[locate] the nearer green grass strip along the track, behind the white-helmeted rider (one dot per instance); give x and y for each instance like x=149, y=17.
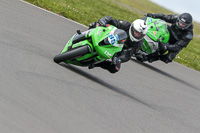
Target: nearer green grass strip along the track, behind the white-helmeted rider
x=85, y=11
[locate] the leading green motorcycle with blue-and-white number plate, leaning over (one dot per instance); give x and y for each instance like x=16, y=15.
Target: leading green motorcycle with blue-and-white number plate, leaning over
x=92, y=46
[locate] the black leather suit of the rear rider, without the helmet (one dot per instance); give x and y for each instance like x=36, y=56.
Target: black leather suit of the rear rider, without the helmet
x=178, y=38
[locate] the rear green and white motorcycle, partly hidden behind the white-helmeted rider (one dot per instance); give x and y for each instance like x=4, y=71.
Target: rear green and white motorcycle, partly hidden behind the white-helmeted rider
x=157, y=34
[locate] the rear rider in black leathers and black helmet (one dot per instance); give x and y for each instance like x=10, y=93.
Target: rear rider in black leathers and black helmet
x=181, y=33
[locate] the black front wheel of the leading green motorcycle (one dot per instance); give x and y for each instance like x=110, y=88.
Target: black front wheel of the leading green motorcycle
x=72, y=54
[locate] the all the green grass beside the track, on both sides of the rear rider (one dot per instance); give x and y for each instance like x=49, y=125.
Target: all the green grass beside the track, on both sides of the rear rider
x=87, y=11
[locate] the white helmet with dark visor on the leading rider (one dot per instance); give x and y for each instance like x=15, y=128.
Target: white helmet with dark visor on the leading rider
x=137, y=30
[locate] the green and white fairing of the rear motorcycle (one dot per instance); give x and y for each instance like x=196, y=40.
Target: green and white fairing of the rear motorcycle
x=157, y=31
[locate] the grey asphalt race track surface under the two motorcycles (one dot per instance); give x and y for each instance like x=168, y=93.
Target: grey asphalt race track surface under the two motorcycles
x=40, y=96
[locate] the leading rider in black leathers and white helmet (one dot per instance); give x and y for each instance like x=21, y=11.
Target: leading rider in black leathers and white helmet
x=135, y=31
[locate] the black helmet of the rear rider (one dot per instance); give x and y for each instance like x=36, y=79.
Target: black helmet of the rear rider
x=184, y=21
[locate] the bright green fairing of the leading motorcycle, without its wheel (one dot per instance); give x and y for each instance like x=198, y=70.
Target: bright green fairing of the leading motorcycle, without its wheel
x=97, y=52
